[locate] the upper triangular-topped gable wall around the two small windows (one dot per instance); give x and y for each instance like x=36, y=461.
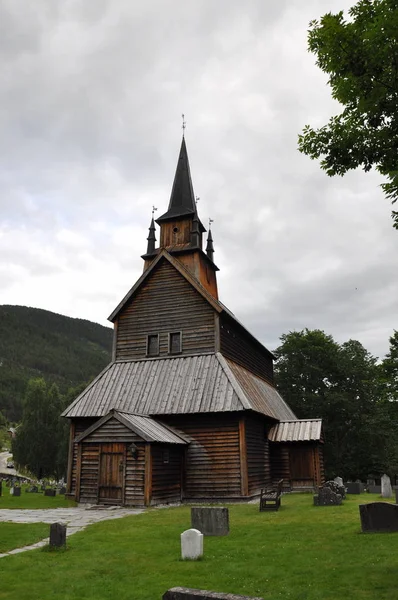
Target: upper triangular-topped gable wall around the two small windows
x=166, y=302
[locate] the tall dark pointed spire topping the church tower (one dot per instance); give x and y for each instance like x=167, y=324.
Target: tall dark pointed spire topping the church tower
x=182, y=199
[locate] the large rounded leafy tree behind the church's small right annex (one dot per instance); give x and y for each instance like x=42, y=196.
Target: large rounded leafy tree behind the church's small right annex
x=340, y=384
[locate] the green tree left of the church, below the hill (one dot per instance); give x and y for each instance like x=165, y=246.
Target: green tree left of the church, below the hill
x=36, y=445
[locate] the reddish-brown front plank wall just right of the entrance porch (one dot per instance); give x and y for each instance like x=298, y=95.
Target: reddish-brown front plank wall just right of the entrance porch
x=213, y=458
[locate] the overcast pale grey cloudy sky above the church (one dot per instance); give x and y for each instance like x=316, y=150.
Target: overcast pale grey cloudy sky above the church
x=91, y=96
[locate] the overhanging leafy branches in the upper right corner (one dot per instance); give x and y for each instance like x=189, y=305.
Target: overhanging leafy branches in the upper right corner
x=360, y=56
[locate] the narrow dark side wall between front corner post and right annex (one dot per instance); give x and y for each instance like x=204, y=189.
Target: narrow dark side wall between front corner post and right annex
x=258, y=460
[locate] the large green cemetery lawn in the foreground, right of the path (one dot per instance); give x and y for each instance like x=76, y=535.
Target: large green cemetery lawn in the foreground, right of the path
x=301, y=552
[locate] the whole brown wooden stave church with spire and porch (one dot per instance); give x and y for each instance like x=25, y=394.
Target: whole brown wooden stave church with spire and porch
x=187, y=410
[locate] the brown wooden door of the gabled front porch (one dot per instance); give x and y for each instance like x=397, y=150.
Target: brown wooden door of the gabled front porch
x=111, y=473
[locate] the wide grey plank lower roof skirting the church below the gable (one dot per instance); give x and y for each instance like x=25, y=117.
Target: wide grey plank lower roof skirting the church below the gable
x=184, y=385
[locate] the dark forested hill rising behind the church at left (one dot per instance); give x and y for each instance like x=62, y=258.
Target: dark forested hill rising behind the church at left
x=39, y=343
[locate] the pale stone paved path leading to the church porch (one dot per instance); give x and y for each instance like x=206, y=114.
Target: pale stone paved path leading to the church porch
x=76, y=519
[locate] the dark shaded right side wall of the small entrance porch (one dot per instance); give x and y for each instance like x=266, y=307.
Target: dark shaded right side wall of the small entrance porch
x=166, y=477
